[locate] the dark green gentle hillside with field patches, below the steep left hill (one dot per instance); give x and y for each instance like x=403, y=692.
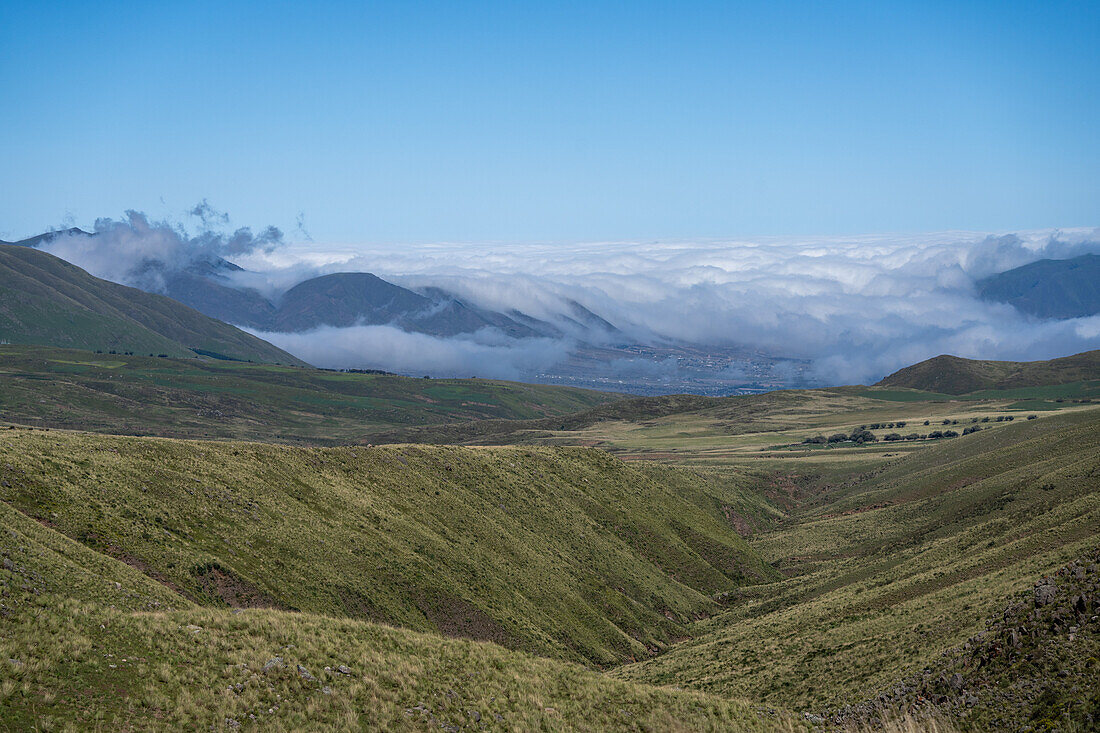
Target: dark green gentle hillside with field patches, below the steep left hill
x=192, y=398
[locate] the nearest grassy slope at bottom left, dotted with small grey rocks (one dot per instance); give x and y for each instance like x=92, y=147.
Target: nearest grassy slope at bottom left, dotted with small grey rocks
x=89, y=642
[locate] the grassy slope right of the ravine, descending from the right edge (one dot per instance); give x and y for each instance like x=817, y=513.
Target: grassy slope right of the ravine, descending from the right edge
x=889, y=568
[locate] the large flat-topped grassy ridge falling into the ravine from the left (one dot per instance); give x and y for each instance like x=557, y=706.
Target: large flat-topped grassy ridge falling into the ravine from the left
x=568, y=553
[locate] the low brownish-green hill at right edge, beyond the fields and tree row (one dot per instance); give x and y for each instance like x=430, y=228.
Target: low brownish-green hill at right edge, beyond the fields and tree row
x=949, y=375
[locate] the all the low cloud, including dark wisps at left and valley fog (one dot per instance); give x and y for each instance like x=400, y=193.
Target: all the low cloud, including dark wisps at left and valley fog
x=856, y=308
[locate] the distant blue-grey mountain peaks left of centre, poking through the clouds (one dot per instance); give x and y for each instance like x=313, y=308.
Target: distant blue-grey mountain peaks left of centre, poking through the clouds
x=346, y=300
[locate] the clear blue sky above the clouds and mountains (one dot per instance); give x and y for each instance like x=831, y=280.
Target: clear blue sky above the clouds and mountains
x=420, y=122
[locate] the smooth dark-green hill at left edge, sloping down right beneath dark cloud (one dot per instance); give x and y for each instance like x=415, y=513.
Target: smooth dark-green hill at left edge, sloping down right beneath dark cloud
x=47, y=301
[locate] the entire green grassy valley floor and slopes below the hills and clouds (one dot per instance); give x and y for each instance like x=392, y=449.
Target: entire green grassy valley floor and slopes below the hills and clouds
x=637, y=564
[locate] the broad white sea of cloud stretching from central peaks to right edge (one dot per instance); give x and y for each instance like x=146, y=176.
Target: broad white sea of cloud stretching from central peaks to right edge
x=857, y=309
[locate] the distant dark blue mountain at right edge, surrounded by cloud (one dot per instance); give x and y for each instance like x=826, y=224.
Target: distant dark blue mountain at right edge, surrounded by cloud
x=1049, y=289
